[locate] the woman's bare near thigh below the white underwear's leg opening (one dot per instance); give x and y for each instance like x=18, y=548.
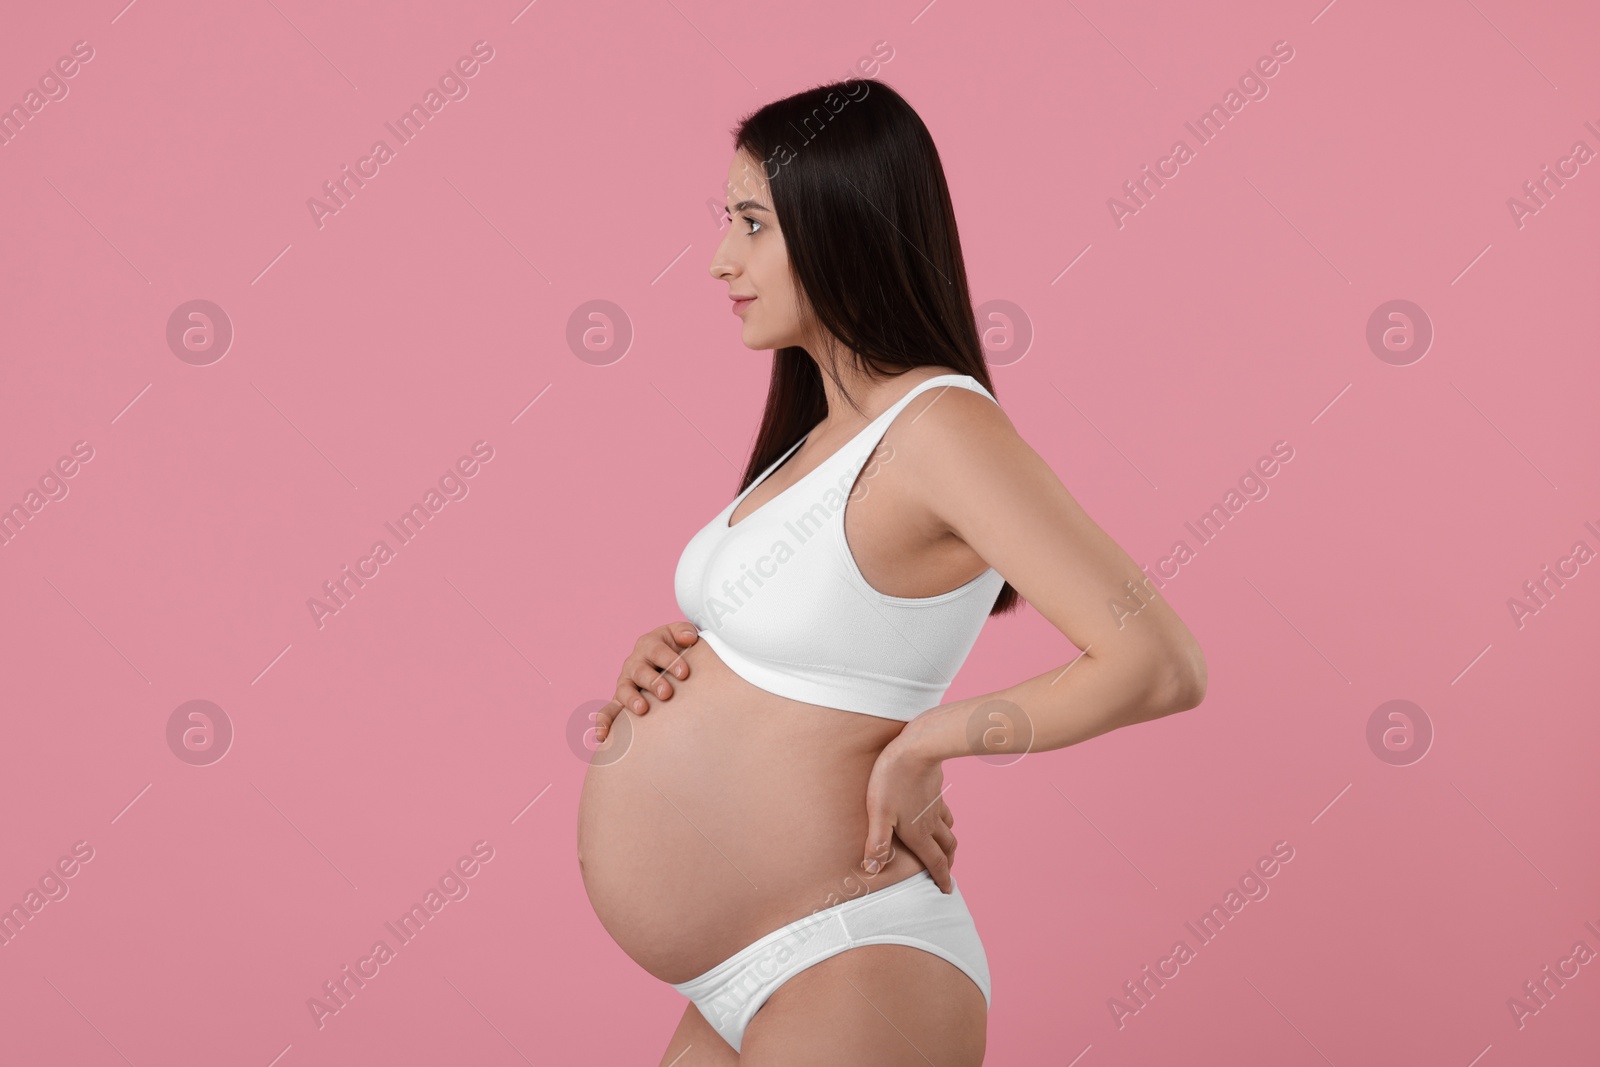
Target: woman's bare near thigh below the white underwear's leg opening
x=871, y=1005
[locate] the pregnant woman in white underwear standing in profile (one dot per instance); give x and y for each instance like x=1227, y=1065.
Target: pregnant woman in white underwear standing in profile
x=769, y=831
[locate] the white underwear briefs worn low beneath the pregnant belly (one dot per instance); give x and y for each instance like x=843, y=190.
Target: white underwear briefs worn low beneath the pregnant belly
x=911, y=913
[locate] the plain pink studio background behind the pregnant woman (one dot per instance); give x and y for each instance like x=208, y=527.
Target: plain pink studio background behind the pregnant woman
x=433, y=311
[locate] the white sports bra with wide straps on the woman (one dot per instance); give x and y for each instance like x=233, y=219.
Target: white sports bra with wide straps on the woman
x=780, y=597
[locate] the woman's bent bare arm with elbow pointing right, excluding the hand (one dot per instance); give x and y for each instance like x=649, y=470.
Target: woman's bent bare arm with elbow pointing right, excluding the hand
x=1140, y=661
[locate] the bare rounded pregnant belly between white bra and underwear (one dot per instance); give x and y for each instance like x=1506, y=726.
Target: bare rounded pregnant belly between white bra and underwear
x=726, y=813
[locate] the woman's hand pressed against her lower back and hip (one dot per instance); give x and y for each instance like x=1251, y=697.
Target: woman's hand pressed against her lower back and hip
x=906, y=801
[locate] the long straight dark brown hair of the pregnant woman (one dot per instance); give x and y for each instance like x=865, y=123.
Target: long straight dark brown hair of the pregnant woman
x=873, y=246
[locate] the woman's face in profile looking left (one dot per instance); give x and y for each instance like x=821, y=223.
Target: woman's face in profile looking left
x=754, y=262
